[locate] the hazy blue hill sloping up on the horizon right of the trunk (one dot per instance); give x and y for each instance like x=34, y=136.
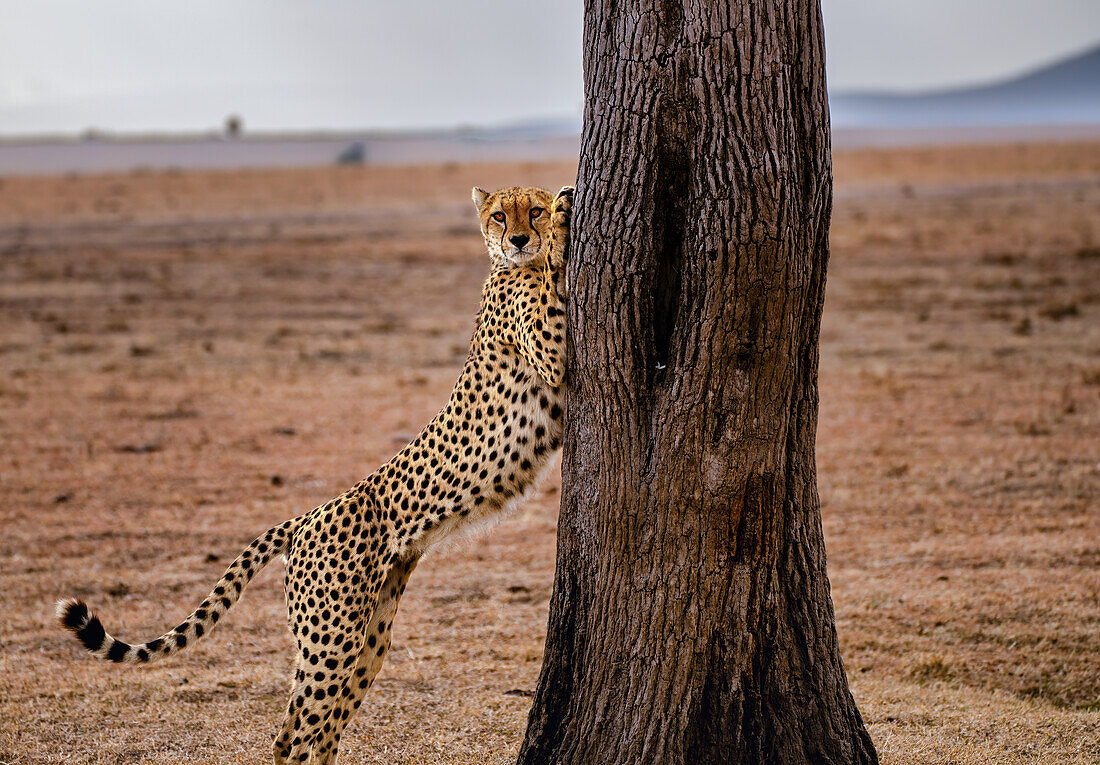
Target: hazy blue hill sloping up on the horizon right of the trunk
x=1065, y=93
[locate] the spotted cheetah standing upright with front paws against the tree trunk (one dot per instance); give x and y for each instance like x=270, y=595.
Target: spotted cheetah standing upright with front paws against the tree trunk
x=348, y=561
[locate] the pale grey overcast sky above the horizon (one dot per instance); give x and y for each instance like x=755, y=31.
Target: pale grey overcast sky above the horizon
x=67, y=65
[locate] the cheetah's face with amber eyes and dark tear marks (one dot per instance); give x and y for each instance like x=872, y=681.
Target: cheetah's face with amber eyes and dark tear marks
x=515, y=223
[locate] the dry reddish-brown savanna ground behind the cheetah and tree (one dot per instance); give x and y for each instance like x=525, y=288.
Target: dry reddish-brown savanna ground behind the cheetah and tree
x=190, y=358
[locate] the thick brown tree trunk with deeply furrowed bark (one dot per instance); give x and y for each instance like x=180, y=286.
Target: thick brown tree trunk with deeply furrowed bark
x=691, y=619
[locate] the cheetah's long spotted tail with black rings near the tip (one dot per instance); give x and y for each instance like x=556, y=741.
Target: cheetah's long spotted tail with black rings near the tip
x=75, y=616
